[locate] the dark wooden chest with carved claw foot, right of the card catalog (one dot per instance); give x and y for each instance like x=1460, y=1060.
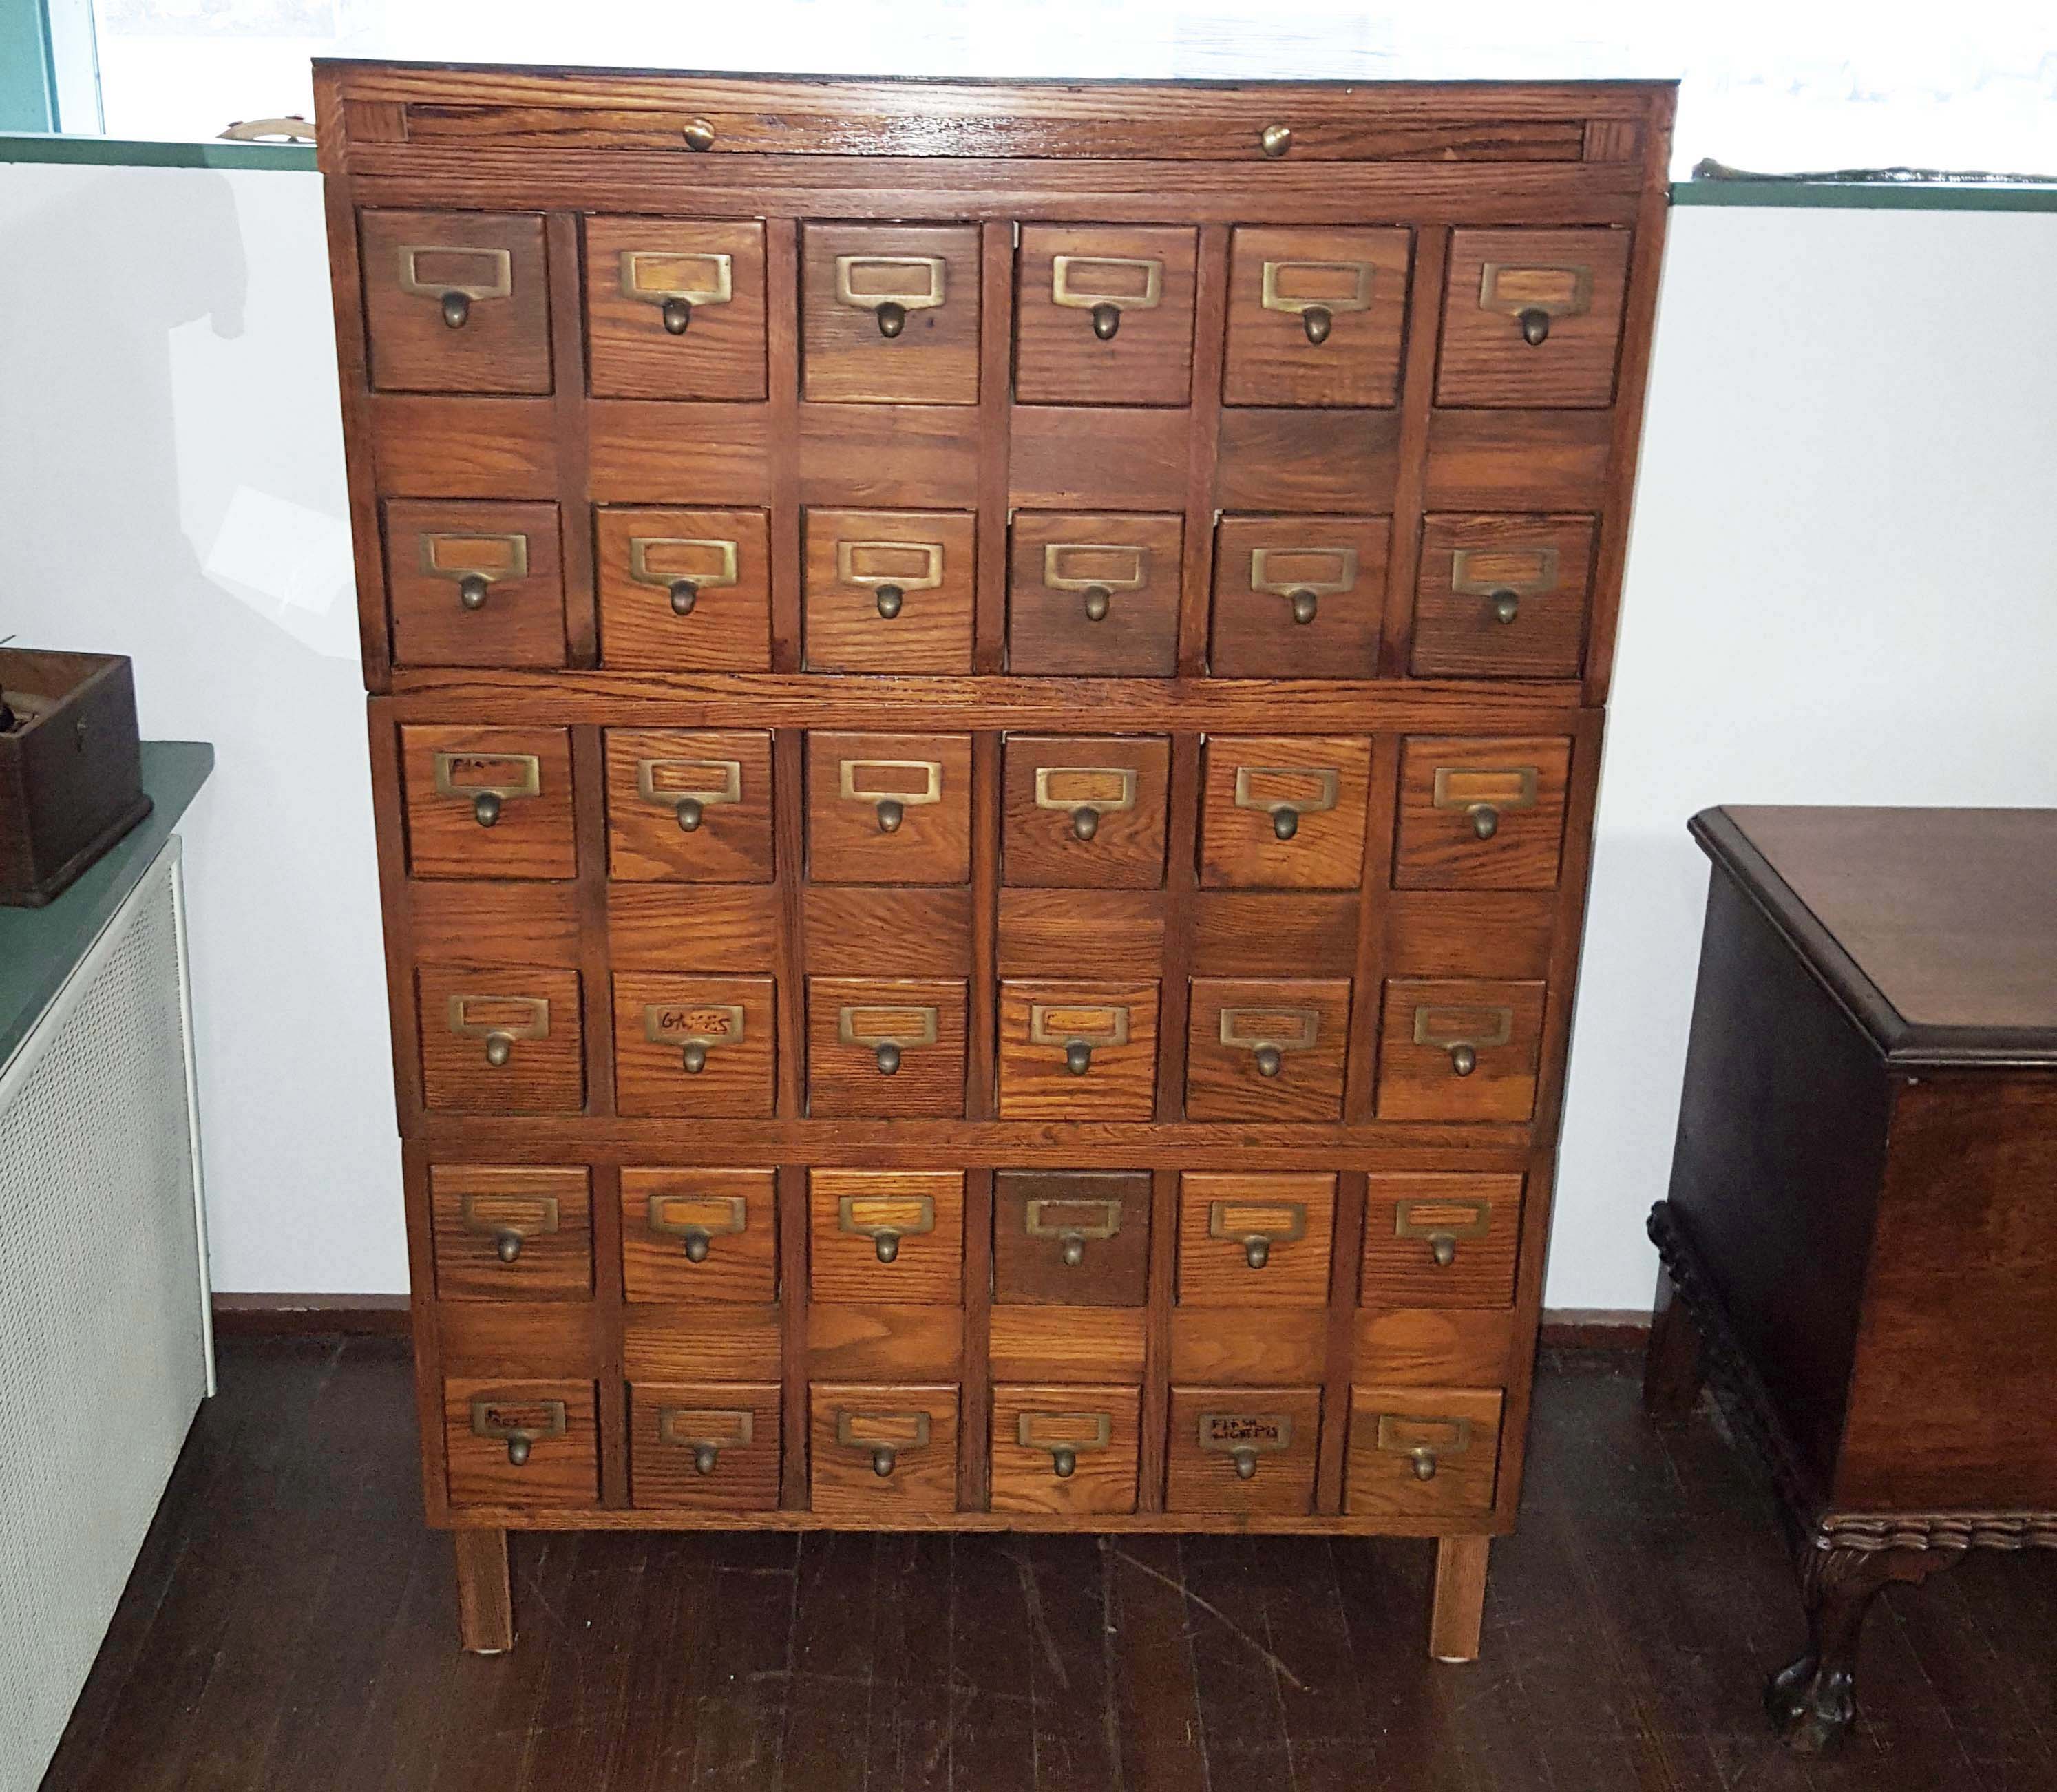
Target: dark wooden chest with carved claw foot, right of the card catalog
x=1861, y=1244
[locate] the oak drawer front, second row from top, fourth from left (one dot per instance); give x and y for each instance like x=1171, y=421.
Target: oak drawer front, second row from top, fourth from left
x=1095, y=594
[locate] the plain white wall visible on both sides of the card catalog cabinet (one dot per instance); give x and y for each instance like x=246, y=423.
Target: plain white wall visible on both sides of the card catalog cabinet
x=1842, y=589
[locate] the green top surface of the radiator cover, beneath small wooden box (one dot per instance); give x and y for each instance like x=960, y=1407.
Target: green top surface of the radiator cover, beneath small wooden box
x=40, y=947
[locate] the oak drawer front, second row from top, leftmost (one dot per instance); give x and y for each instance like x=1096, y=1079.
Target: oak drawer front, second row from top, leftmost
x=474, y=585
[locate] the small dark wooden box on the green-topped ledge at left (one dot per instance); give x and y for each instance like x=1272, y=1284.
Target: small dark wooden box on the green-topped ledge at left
x=71, y=770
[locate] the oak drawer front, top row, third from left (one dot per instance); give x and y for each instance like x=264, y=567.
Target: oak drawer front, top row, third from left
x=892, y=314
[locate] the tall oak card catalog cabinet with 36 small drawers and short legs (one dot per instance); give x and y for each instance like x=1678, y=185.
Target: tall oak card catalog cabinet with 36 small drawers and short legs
x=984, y=709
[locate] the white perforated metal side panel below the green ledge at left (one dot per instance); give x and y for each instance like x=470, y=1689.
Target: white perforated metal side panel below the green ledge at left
x=104, y=1345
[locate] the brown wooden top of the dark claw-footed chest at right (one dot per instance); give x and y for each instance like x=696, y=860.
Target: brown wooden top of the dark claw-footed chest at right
x=1937, y=927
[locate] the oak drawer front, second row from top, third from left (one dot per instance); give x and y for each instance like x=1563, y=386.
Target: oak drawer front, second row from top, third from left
x=890, y=592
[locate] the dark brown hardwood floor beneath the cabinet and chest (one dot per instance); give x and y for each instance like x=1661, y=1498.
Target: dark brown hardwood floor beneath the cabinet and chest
x=293, y=1626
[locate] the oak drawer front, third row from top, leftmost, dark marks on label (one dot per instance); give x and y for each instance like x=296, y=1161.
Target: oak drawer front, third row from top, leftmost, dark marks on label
x=489, y=801
